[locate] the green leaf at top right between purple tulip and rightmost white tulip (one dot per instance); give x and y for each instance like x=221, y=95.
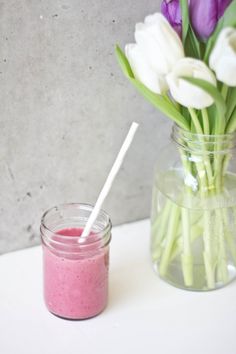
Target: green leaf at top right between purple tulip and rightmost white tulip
x=227, y=20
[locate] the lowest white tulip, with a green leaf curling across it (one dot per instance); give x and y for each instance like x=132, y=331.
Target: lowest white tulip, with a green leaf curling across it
x=186, y=93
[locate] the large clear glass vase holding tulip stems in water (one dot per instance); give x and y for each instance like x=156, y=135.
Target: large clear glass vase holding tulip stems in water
x=193, y=219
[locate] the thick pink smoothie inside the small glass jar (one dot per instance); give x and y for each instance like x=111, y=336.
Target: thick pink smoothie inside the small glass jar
x=75, y=284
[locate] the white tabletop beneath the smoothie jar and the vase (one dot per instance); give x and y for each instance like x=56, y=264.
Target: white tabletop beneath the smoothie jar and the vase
x=144, y=315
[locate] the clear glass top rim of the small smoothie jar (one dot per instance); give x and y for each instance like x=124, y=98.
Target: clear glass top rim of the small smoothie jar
x=92, y=239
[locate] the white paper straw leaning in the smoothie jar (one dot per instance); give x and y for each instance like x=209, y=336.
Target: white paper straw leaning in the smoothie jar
x=107, y=186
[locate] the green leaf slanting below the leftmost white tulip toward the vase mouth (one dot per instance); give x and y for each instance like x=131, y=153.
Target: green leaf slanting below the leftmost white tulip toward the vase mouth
x=164, y=105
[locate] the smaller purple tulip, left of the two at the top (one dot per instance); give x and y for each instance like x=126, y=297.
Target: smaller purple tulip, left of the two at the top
x=171, y=10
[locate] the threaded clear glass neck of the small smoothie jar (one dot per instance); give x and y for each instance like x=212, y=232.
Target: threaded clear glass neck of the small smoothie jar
x=74, y=216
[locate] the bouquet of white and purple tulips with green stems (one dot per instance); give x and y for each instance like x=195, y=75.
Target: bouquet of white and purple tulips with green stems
x=183, y=62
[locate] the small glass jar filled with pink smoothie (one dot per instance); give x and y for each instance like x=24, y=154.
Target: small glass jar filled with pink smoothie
x=75, y=273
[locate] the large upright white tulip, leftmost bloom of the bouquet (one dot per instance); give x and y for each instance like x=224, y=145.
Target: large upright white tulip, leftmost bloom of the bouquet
x=155, y=52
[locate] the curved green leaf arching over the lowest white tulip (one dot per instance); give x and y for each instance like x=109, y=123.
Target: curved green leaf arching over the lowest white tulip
x=217, y=97
